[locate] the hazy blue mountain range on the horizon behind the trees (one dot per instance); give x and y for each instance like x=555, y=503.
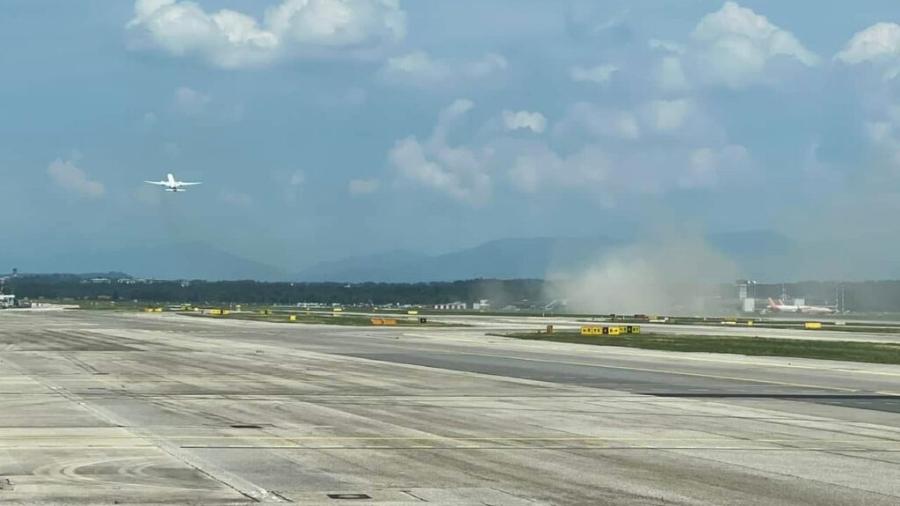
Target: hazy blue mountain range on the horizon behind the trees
x=752, y=251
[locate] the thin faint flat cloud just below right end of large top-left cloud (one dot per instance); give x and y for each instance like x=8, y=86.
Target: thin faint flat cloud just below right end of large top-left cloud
x=418, y=68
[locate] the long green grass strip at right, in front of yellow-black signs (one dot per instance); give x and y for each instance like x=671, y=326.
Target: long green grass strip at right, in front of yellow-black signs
x=878, y=353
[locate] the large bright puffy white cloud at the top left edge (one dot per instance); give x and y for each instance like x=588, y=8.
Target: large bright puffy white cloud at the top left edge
x=231, y=39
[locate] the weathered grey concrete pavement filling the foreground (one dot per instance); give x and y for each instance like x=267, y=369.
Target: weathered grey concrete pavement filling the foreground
x=105, y=408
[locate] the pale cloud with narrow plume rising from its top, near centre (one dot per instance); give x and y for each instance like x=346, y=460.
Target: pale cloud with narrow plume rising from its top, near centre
x=460, y=172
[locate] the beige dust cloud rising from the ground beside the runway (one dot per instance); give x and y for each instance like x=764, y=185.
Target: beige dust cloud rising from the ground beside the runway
x=671, y=273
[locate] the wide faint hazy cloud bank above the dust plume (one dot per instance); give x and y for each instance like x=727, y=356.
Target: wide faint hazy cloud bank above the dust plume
x=654, y=147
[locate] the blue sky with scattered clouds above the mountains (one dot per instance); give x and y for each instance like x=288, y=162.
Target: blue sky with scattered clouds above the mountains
x=326, y=128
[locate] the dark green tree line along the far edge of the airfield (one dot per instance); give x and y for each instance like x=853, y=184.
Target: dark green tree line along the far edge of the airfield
x=860, y=296
